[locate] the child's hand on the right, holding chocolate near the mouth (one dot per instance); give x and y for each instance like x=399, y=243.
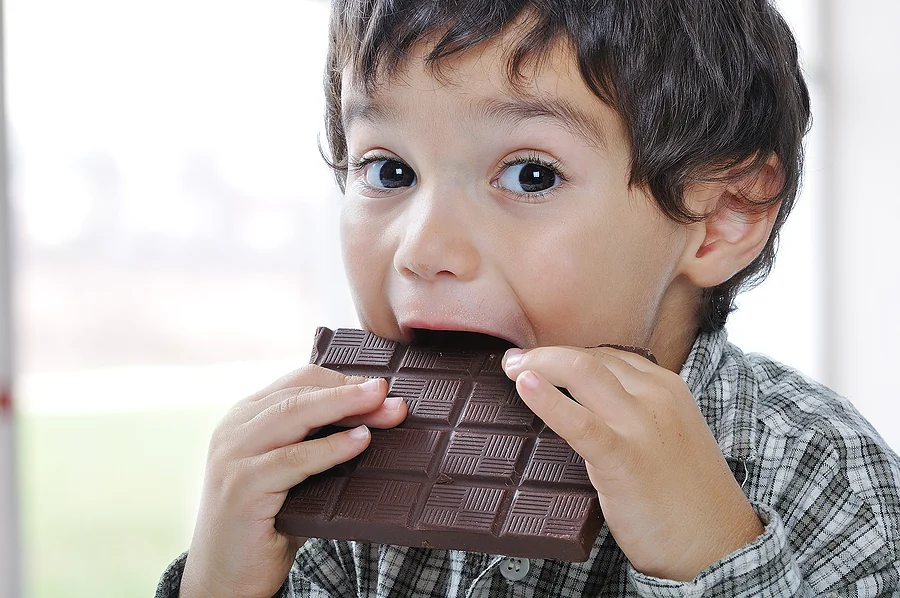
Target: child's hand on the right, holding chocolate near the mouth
x=667, y=494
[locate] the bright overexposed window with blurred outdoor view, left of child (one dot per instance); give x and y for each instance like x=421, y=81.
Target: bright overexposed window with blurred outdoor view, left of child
x=175, y=250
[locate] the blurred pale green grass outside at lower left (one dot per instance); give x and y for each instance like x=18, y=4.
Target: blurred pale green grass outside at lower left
x=107, y=501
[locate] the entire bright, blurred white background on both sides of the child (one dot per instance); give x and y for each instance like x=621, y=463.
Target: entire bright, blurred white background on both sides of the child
x=172, y=245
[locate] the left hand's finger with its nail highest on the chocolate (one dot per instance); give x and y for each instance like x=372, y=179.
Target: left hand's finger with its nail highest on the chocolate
x=289, y=420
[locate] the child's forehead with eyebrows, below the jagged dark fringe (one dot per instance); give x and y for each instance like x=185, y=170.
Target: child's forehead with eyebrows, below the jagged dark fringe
x=549, y=88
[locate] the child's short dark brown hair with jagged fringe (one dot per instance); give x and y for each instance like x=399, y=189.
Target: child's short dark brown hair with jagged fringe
x=707, y=89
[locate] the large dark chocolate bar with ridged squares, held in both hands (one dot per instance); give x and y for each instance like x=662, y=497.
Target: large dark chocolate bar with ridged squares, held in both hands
x=471, y=468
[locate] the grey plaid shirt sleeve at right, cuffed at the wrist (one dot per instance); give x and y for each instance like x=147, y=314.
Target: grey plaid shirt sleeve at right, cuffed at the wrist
x=831, y=514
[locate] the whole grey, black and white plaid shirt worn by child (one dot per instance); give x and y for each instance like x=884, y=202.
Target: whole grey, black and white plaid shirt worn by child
x=821, y=479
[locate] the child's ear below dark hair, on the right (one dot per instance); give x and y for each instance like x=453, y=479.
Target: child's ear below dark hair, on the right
x=735, y=227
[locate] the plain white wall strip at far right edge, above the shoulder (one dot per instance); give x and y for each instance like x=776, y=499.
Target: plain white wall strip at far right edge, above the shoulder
x=862, y=168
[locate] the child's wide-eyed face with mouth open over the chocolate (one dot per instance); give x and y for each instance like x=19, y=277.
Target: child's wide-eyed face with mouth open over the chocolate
x=489, y=209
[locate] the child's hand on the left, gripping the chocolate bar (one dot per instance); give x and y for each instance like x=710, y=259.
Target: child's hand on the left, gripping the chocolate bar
x=256, y=454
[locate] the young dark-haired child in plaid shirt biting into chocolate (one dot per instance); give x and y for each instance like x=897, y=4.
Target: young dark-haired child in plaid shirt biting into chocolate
x=562, y=174
